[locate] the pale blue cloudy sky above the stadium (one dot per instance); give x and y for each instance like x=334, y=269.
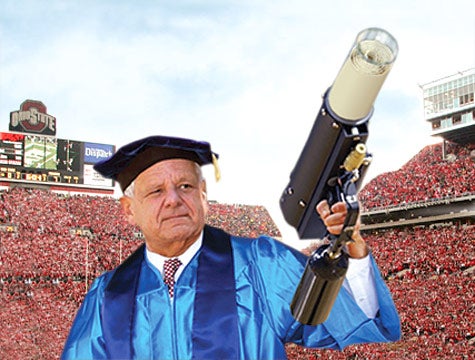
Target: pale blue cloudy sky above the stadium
x=245, y=75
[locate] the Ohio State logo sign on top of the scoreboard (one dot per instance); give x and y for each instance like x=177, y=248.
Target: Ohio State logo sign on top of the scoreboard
x=32, y=118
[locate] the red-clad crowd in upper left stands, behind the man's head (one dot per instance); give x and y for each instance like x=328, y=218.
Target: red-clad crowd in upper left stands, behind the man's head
x=88, y=234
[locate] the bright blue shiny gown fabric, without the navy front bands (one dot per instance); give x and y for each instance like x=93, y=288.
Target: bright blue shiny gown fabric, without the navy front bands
x=267, y=273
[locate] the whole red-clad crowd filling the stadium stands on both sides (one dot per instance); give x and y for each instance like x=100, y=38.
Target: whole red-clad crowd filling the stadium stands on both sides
x=60, y=243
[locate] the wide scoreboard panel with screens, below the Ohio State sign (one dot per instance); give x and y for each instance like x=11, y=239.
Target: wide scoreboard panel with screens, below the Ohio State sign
x=45, y=159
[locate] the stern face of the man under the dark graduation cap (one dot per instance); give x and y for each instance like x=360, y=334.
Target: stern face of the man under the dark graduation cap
x=169, y=205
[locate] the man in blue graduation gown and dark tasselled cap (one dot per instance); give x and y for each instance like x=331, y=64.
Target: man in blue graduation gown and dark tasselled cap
x=229, y=297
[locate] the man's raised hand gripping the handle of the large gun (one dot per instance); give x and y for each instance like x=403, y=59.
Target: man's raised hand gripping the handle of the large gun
x=333, y=218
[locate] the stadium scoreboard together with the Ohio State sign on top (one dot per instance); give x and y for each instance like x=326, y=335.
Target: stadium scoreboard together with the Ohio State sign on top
x=31, y=153
